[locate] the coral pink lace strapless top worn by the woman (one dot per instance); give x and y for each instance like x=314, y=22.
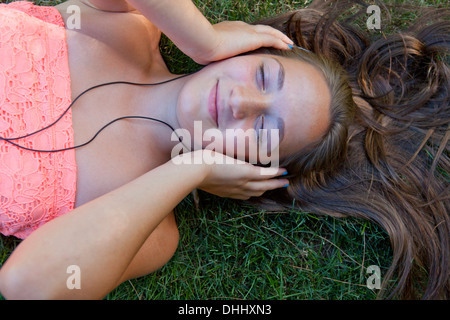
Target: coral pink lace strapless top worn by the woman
x=34, y=91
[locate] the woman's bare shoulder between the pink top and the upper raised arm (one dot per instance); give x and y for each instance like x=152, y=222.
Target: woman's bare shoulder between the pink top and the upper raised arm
x=126, y=40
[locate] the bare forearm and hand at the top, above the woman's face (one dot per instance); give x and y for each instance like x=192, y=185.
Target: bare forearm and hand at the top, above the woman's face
x=193, y=34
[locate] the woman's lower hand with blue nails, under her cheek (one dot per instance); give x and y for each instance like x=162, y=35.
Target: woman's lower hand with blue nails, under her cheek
x=228, y=177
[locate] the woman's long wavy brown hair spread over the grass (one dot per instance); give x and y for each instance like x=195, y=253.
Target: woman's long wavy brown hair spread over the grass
x=392, y=167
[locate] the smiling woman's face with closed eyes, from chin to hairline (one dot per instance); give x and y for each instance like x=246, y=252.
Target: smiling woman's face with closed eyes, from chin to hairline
x=227, y=102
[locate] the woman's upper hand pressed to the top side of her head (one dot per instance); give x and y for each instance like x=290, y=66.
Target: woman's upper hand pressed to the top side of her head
x=235, y=37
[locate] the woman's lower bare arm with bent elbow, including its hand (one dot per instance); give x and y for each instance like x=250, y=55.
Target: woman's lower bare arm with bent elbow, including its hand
x=103, y=236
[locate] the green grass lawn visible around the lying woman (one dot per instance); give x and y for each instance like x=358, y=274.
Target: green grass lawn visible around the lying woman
x=232, y=251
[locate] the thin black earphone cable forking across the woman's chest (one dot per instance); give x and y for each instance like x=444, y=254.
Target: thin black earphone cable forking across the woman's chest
x=10, y=140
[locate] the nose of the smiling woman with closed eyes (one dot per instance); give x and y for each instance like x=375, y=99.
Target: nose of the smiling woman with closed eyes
x=245, y=101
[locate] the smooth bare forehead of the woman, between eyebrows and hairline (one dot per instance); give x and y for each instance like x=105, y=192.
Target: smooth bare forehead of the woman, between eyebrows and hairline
x=304, y=105
